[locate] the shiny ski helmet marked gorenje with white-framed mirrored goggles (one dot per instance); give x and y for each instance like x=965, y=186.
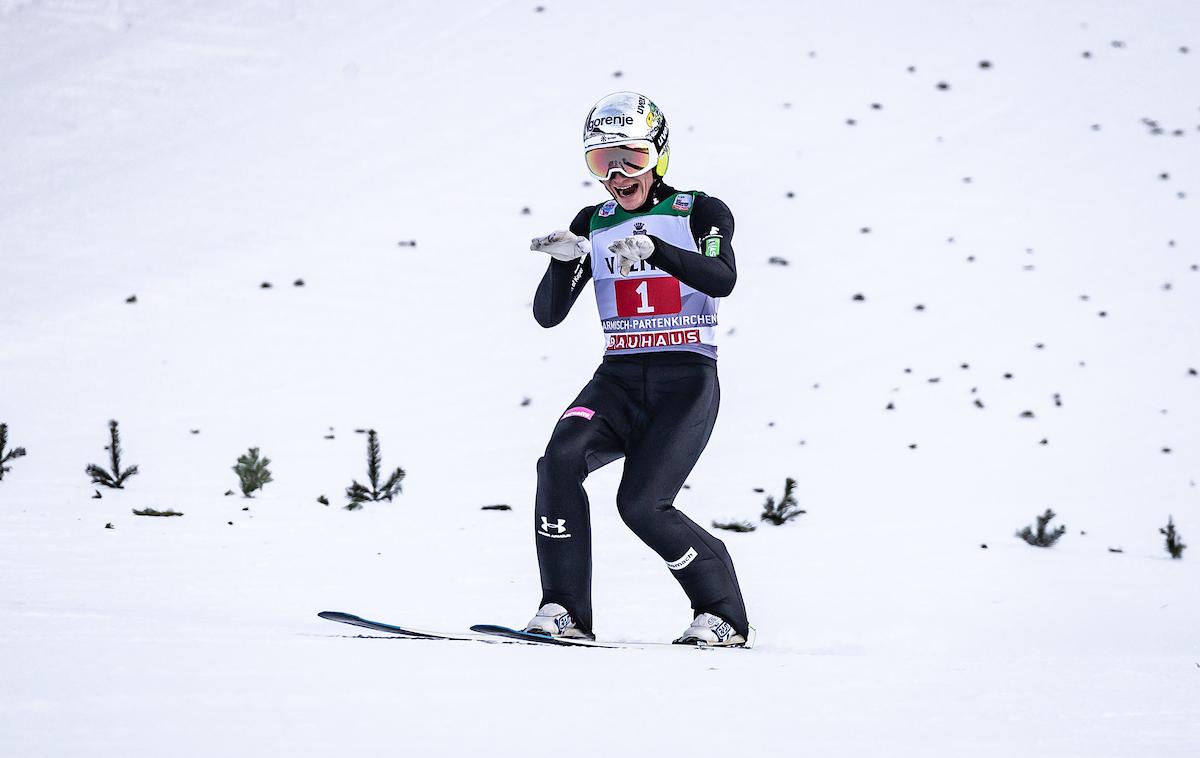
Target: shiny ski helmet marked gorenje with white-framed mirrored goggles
x=627, y=121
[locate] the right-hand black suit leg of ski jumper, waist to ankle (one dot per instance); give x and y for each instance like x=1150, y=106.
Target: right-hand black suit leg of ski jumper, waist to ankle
x=682, y=402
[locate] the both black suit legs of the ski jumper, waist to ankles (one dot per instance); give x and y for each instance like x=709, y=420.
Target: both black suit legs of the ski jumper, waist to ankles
x=661, y=419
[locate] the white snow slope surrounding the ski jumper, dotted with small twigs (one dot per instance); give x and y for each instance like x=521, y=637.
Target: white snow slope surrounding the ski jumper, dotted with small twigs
x=187, y=153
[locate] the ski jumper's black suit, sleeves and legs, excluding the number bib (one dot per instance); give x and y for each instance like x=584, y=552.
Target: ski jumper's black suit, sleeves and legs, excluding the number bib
x=655, y=410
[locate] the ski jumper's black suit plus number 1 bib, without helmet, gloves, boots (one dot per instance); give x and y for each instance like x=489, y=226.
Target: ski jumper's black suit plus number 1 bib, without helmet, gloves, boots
x=653, y=400
